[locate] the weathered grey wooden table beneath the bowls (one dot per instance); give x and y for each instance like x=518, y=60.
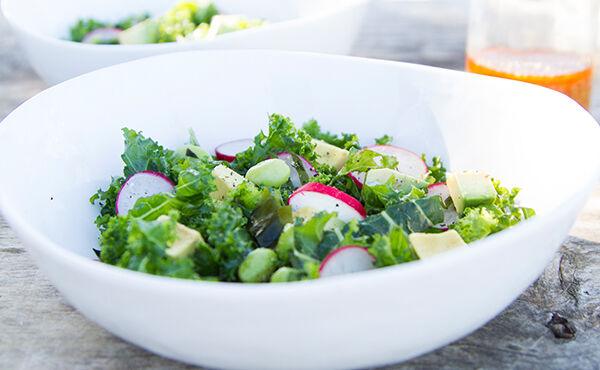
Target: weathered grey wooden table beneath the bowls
x=554, y=324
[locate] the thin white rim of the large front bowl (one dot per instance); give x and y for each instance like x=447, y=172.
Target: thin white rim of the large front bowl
x=10, y=212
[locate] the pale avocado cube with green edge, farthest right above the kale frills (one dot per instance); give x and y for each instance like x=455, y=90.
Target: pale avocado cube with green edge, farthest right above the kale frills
x=469, y=189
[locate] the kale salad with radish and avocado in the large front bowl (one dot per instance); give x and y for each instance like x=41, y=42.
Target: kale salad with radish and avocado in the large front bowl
x=291, y=204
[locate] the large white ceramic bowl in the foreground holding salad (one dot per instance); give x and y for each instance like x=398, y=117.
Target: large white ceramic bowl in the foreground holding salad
x=64, y=143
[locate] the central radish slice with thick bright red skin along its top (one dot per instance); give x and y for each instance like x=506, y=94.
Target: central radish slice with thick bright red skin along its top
x=329, y=199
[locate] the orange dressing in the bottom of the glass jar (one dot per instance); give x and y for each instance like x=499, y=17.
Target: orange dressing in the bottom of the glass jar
x=570, y=74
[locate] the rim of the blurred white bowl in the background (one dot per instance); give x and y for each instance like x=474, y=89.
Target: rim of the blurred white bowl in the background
x=170, y=46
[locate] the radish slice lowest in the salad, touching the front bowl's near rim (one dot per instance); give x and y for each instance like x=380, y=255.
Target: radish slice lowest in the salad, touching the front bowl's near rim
x=347, y=259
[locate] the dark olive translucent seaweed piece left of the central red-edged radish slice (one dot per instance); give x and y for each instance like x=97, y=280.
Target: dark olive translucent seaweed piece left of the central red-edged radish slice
x=267, y=221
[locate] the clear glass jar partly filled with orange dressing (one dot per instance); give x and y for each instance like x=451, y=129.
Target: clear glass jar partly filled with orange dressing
x=546, y=42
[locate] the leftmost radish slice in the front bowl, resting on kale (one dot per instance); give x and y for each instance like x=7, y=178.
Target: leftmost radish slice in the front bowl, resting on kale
x=139, y=185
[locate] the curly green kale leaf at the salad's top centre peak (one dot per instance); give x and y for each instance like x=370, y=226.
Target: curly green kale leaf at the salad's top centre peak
x=282, y=137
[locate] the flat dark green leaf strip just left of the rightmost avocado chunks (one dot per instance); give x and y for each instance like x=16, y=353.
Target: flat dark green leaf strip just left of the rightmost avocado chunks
x=413, y=216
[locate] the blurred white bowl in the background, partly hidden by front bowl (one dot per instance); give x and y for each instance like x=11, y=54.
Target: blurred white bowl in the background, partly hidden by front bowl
x=42, y=27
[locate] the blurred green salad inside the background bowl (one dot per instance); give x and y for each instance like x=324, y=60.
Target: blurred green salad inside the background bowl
x=188, y=20
